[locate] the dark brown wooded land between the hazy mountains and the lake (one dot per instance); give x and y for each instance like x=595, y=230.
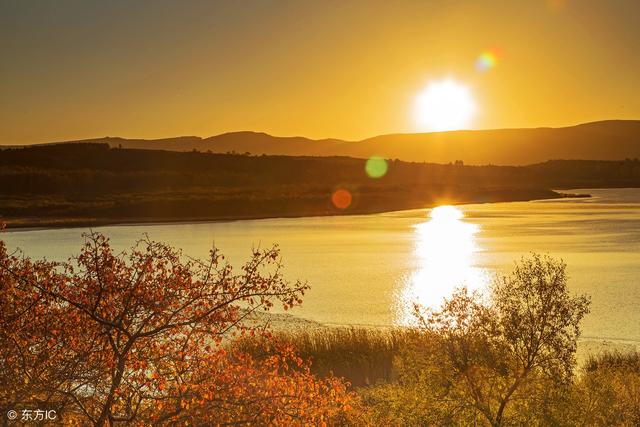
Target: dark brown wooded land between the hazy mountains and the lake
x=83, y=184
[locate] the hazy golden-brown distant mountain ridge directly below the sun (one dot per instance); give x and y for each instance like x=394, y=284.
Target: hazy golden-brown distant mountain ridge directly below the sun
x=603, y=140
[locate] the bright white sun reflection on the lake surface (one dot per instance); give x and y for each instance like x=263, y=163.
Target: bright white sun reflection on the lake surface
x=445, y=248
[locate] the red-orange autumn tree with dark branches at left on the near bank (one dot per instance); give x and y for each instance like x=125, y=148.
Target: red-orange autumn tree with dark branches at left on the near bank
x=139, y=337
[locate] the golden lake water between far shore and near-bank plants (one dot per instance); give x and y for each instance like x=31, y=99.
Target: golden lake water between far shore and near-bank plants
x=367, y=269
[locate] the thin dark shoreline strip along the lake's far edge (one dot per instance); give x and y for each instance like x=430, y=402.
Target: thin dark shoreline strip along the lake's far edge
x=29, y=224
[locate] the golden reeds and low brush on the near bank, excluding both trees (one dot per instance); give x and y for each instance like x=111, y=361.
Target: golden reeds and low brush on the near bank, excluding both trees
x=396, y=387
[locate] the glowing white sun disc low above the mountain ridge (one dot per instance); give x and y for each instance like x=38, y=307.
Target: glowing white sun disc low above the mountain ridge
x=444, y=105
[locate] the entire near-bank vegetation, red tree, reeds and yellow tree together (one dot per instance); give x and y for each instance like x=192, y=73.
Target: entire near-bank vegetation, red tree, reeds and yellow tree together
x=149, y=337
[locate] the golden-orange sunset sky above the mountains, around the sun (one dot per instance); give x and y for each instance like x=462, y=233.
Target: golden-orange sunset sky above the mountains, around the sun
x=345, y=69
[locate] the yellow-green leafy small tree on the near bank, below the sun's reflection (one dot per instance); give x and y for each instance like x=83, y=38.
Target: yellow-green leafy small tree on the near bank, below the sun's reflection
x=491, y=354
